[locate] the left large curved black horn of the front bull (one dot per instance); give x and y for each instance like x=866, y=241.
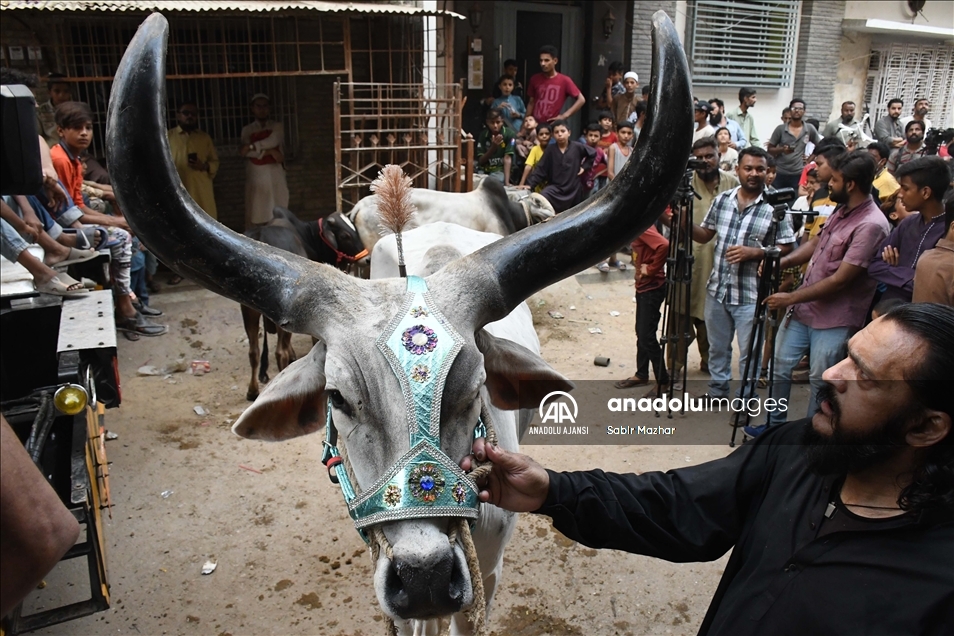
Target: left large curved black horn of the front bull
x=162, y=213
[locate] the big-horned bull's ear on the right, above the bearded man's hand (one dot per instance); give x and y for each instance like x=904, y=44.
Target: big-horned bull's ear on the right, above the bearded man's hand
x=517, y=378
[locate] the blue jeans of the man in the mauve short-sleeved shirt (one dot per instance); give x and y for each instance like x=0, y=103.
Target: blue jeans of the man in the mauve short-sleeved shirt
x=794, y=340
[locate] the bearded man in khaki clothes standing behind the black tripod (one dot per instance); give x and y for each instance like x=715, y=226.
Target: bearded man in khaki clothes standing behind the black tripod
x=708, y=182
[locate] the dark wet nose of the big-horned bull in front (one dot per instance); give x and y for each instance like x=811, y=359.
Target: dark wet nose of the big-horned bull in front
x=426, y=586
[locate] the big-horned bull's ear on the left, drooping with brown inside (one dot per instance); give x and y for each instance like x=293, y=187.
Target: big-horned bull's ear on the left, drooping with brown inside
x=292, y=404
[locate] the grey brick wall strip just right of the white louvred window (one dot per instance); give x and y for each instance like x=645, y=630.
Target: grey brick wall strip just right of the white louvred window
x=819, y=45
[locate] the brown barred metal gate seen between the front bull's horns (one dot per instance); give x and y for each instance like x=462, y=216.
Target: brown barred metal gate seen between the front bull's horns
x=416, y=126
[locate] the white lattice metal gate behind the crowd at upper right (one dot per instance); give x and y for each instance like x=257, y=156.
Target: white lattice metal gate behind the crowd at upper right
x=909, y=72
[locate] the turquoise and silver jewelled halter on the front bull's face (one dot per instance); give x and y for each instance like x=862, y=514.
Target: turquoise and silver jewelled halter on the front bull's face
x=420, y=345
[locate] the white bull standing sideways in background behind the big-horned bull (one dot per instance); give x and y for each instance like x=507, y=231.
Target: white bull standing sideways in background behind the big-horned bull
x=488, y=208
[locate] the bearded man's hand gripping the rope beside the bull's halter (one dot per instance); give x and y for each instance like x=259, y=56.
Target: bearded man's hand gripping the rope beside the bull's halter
x=516, y=482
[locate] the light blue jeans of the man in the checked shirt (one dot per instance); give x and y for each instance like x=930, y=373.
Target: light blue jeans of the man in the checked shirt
x=722, y=322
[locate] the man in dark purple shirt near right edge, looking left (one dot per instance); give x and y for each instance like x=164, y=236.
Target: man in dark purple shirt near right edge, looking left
x=923, y=184
